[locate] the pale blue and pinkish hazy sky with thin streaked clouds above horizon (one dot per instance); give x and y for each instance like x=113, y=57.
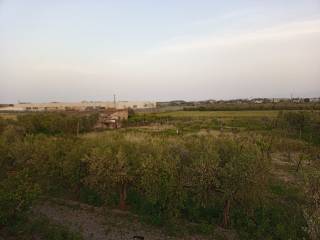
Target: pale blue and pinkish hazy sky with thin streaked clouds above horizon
x=74, y=50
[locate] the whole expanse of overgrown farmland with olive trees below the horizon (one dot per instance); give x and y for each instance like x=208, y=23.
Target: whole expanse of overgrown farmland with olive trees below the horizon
x=166, y=175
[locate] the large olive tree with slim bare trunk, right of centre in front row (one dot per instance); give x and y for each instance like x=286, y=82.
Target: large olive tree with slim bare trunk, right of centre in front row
x=242, y=175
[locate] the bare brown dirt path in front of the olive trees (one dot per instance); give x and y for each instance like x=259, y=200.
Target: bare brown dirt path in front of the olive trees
x=96, y=224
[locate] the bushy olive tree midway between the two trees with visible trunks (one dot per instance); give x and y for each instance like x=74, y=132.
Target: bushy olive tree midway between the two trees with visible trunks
x=162, y=176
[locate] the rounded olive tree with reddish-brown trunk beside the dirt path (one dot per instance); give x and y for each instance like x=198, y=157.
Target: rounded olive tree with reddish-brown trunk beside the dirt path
x=112, y=167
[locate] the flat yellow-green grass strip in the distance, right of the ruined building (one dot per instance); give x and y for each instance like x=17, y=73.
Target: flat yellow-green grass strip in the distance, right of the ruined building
x=193, y=121
